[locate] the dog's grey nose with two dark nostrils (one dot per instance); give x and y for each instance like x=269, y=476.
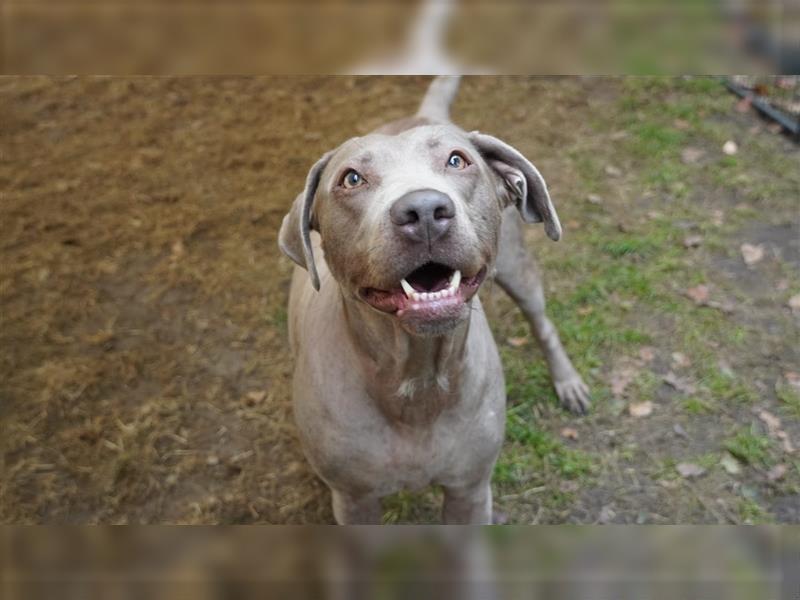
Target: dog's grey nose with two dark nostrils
x=423, y=215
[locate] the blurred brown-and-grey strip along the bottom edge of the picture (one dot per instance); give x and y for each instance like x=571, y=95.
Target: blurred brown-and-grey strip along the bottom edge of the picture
x=553, y=563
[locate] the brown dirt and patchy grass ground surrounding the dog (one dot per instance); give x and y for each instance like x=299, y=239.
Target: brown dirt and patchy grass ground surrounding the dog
x=144, y=369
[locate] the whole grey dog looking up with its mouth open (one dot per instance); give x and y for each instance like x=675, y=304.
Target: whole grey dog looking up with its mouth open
x=398, y=382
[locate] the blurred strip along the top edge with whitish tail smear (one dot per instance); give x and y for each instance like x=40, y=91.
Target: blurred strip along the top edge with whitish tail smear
x=413, y=36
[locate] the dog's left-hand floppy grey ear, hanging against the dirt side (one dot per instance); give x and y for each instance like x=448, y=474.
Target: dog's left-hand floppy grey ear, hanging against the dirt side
x=294, y=238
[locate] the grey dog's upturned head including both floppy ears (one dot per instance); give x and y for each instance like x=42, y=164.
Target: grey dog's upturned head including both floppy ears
x=409, y=223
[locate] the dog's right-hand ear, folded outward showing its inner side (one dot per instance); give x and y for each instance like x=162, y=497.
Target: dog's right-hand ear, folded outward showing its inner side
x=524, y=185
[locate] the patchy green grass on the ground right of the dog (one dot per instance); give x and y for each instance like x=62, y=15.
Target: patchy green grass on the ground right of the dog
x=622, y=282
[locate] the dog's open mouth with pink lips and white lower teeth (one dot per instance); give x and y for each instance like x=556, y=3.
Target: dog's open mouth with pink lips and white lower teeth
x=431, y=291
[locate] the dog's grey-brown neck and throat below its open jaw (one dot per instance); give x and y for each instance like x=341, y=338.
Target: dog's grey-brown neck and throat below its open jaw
x=411, y=378
